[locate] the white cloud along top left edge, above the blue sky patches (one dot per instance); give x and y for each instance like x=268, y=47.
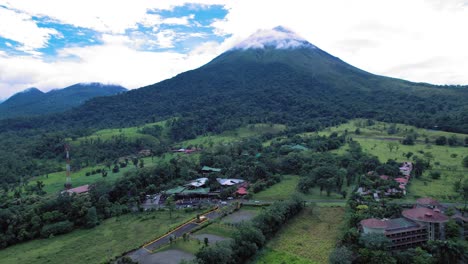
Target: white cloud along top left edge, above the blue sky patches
x=107, y=16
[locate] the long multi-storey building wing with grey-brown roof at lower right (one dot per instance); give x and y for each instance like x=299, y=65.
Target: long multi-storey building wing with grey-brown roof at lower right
x=402, y=232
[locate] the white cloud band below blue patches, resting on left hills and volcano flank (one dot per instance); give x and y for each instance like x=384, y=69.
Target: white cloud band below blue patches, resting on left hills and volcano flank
x=113, y=62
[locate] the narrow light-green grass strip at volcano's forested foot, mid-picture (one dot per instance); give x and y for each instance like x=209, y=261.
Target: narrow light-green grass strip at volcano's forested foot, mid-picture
x=236, y=135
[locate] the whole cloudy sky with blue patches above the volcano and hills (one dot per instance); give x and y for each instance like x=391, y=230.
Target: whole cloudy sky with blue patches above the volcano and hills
x=52, y=44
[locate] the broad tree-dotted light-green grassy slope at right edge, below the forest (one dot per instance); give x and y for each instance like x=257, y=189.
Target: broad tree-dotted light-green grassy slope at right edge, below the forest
x=374, y=141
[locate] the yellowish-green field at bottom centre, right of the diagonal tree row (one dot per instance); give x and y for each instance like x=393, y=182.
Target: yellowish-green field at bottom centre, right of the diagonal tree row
x=308, y=238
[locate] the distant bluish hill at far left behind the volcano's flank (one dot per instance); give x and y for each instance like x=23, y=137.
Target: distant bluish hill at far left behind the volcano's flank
x=32, y=101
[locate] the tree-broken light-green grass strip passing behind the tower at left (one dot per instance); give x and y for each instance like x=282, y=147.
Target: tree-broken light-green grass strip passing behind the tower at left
x=54, y=181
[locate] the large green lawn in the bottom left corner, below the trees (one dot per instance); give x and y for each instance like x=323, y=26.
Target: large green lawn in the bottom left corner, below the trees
x=111, y=238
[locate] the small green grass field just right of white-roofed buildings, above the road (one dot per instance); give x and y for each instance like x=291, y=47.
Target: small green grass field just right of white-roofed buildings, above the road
x=287, y=187
